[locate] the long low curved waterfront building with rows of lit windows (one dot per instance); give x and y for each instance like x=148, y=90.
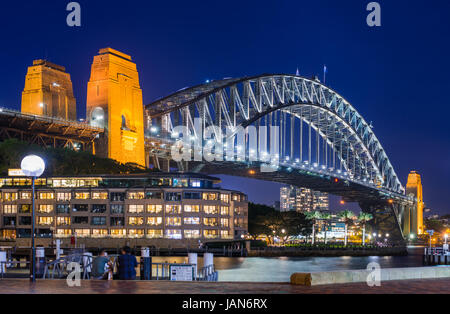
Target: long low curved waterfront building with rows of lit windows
x=112, y=210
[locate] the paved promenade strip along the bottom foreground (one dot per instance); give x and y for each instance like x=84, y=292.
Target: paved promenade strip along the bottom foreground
x=17, y=286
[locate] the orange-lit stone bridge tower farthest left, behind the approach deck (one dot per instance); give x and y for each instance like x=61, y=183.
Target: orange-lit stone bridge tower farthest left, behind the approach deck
x=48, y=91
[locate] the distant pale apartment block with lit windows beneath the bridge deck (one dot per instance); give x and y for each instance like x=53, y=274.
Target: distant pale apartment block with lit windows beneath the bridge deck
x=302, y=200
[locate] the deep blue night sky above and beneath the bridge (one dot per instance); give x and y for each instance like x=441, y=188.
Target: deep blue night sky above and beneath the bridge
x=396, y=75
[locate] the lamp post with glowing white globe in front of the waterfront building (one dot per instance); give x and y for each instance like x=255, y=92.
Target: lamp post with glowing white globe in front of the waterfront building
x=33, y=166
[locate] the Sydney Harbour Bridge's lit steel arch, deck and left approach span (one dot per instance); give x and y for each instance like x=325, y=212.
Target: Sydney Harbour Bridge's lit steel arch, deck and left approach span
x=282, y=128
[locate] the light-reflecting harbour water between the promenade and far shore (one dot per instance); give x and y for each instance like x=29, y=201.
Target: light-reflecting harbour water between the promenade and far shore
x=279, y=269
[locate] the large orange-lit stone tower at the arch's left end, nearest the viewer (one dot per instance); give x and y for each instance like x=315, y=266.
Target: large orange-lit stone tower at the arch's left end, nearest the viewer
x=114, y=102
